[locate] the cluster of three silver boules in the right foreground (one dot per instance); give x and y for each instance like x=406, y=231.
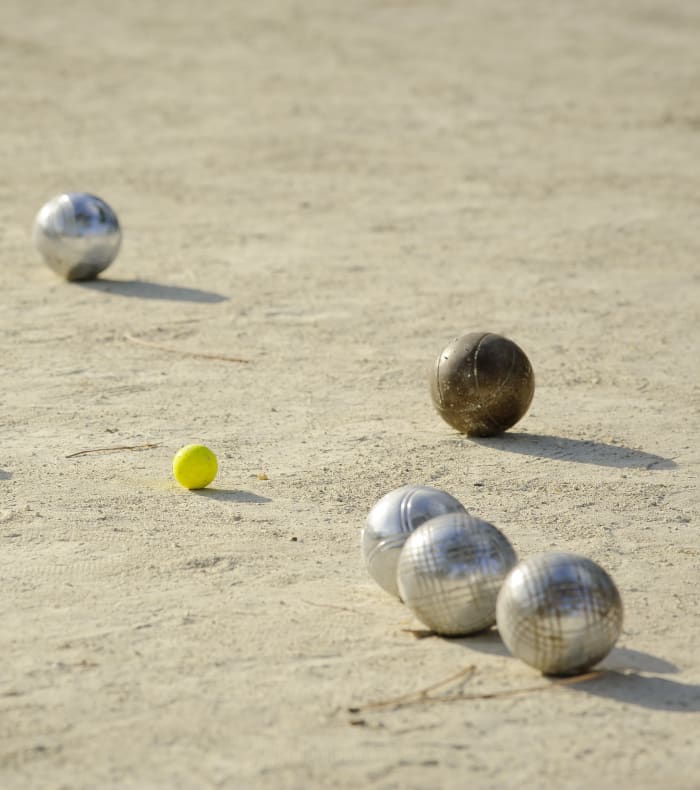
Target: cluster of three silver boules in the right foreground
x=459, y=575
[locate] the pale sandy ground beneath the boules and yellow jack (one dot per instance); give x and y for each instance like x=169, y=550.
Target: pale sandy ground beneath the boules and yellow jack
x=334, y=191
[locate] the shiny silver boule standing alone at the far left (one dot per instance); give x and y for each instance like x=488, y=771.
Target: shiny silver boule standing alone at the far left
x=78, y=235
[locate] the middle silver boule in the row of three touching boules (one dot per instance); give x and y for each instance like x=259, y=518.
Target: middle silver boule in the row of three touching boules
x=450, y=571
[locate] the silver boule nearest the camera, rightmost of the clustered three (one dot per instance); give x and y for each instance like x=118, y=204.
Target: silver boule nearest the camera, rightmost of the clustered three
x=559, y=612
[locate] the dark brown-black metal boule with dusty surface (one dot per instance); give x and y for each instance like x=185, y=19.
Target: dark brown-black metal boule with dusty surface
x=482, y=384
